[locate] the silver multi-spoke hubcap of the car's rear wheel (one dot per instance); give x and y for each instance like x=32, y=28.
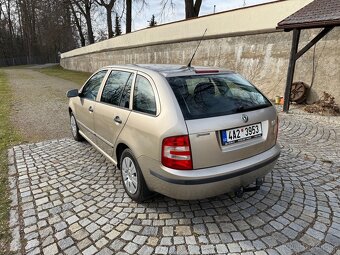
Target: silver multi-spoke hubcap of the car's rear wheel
x=129, y=175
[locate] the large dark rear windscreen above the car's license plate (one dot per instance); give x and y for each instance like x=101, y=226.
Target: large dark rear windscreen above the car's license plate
x=202, y=96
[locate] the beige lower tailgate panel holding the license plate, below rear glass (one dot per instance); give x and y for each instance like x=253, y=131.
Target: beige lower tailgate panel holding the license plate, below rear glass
x=229, y=138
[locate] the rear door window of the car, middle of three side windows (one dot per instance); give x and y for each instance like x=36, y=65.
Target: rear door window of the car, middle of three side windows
x=114, y=87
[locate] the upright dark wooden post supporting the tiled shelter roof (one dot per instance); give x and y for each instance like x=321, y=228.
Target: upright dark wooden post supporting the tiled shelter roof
x=291, y=68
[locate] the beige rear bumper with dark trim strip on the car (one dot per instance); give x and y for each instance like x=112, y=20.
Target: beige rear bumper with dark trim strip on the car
x=213, y=181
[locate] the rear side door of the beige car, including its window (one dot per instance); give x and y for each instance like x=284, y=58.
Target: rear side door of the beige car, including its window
x=113, y=109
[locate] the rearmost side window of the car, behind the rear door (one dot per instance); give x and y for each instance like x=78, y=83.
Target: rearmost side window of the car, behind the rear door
x=144, y=97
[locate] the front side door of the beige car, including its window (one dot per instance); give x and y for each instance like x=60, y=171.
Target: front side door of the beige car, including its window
x=86, y=103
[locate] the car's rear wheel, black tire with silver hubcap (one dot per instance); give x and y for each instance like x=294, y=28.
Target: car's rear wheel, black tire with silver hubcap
x=132, y=177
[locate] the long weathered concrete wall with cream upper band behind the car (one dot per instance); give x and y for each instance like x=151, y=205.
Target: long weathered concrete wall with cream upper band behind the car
x=256, y=49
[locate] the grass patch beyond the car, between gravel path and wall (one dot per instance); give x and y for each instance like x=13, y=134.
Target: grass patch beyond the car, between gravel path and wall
x=58, y=71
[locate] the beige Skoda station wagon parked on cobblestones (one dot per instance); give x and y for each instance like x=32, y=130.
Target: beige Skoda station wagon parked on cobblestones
x=185, y=132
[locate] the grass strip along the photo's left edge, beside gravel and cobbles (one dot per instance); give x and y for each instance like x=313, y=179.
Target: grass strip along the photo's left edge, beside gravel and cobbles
x=8, y=138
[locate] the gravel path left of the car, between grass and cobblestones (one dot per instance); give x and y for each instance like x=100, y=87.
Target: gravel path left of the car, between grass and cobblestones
x=40, y=105
